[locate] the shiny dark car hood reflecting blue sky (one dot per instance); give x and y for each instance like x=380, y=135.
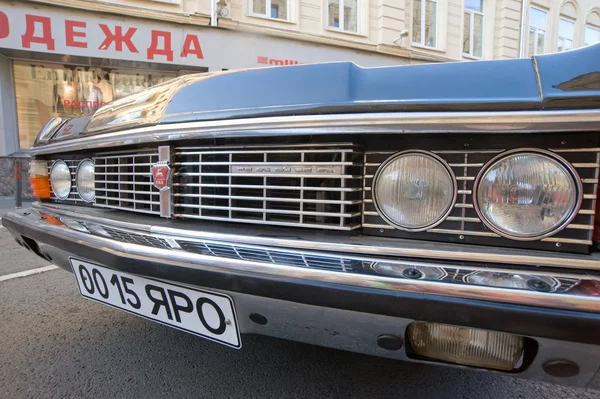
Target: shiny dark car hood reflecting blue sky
x=555, y=81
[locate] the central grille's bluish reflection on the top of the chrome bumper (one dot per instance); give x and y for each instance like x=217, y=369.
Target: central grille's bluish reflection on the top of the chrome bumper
x=259, y=254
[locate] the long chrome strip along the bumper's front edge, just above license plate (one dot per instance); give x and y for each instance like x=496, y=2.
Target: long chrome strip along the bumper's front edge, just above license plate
x=248, y=268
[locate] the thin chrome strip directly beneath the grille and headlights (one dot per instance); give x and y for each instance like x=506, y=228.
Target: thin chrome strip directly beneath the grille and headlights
x=364, y=245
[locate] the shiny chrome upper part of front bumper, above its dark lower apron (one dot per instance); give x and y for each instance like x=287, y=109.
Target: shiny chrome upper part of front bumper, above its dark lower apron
x=319, y=257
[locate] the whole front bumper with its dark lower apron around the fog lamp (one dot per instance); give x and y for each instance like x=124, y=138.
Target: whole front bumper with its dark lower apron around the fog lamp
x=344, y=309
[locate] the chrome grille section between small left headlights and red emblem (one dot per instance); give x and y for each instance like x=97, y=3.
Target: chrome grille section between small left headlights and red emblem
x=124, y=181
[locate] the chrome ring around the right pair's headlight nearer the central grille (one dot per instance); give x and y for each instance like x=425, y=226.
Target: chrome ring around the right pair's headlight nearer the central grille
x=435, y=158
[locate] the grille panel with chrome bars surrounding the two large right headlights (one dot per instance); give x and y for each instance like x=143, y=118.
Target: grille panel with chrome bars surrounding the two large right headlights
x=464, y=221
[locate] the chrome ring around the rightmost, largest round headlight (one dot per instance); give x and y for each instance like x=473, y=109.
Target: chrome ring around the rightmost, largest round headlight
x=571, y=171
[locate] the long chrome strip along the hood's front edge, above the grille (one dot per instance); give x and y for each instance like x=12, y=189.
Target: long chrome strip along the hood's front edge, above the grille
x=394, y=123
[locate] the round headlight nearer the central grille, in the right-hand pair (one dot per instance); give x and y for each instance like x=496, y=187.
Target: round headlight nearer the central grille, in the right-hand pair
x=414, y=190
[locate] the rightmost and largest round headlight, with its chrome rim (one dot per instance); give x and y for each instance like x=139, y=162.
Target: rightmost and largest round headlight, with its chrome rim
x=527, y=194
